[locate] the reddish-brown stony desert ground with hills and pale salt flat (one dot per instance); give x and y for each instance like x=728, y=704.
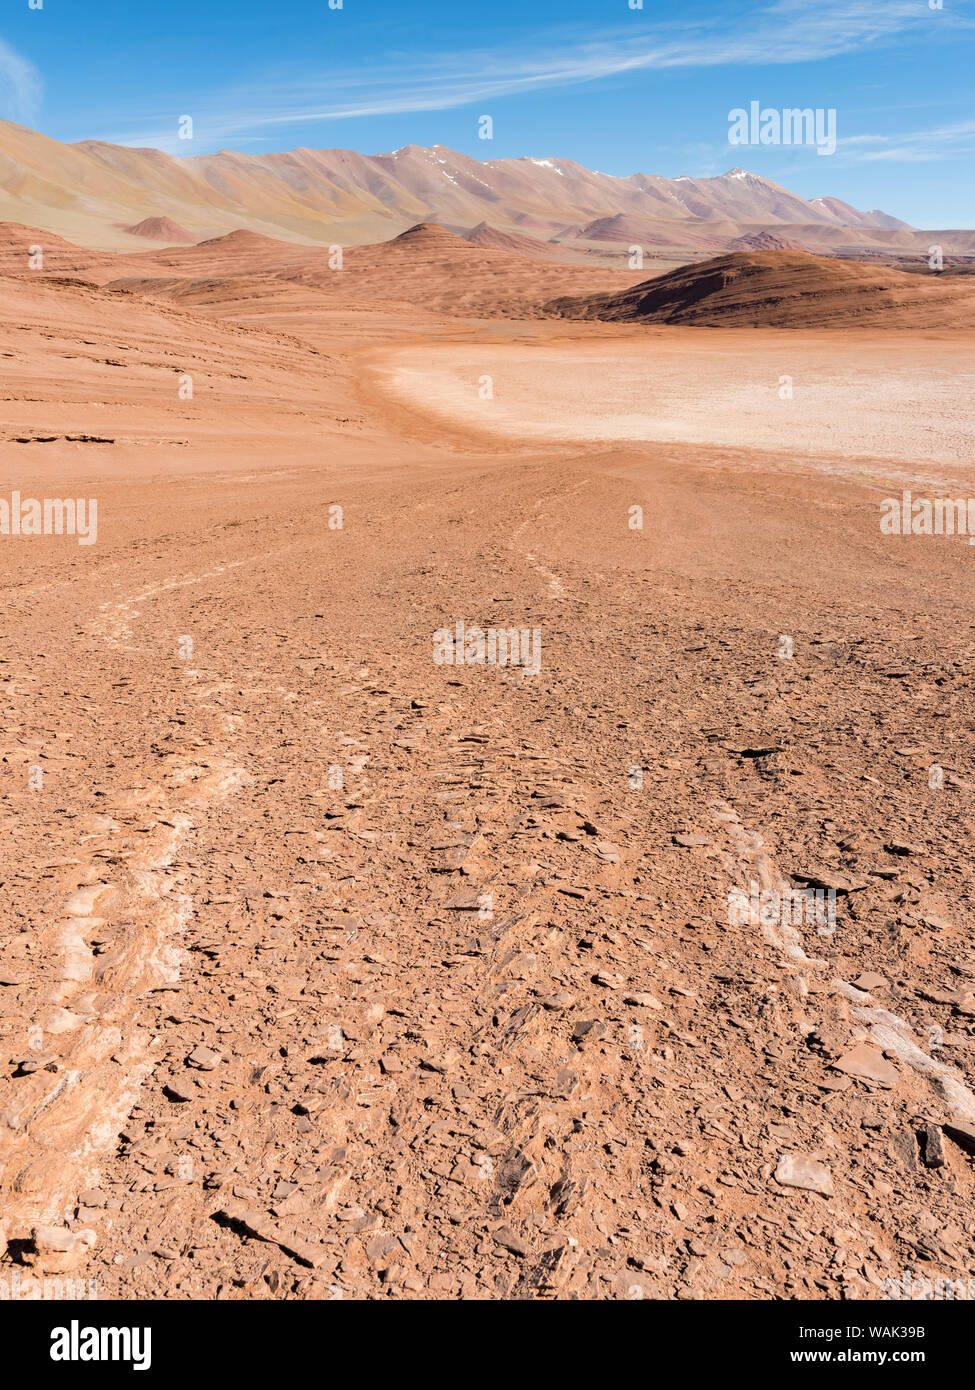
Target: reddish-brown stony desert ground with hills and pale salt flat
x=329, y=971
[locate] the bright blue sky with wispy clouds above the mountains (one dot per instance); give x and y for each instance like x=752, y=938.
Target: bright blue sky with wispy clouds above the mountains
x=618, y=90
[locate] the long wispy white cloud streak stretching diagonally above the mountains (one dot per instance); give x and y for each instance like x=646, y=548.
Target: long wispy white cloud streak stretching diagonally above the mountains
x=782, y=33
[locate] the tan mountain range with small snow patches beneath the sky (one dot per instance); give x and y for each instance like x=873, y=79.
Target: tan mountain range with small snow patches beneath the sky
x=116, y=198
